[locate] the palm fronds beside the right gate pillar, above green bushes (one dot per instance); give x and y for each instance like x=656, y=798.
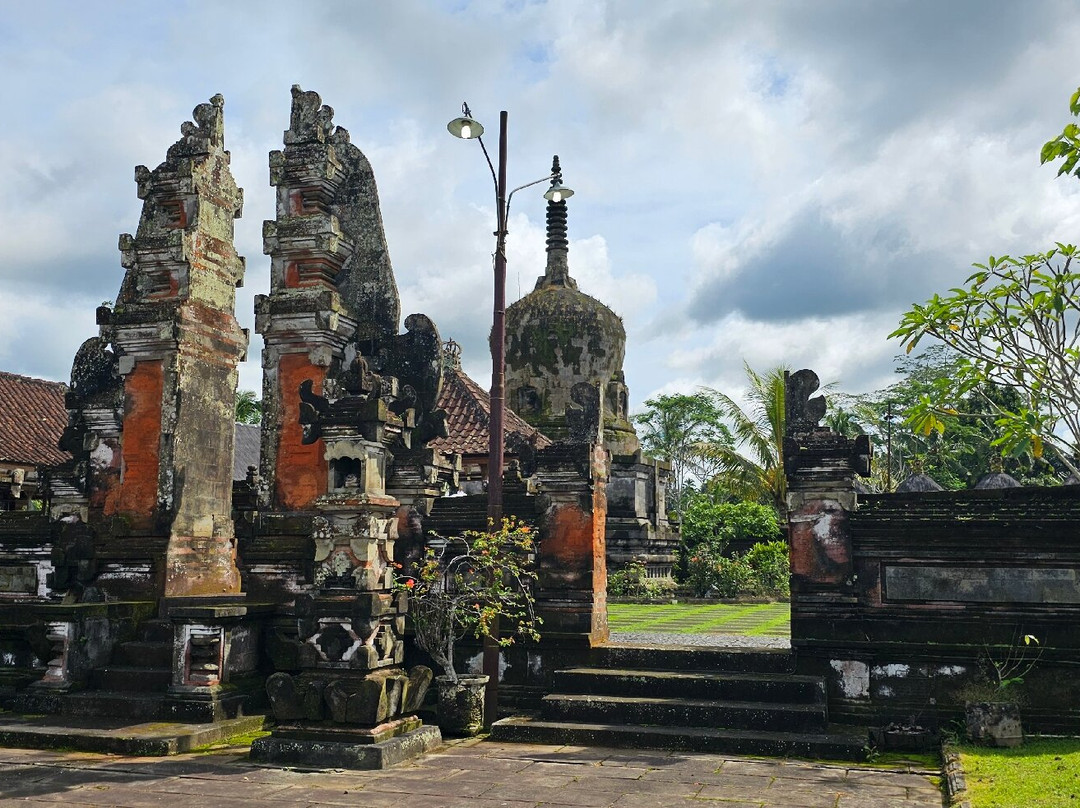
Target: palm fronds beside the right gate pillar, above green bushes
x=753, y=468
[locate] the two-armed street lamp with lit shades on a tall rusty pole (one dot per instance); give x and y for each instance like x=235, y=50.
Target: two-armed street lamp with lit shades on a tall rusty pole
x=469, y=129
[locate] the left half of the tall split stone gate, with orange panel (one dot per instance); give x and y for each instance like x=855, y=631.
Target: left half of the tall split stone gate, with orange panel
x=152, y=415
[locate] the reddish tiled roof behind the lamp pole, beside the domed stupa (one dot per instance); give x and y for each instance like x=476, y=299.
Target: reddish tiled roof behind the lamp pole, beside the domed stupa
x=468, y=414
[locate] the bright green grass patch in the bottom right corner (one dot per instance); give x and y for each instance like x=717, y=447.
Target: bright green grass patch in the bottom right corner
x=1044, y=773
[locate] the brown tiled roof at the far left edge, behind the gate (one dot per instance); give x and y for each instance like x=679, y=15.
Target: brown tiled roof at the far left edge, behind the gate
x=32, y=420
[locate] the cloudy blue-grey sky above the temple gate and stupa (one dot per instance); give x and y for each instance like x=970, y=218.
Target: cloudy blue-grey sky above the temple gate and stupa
x=758, y=182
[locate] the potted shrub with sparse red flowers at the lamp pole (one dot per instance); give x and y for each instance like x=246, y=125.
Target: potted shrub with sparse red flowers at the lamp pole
x=468, y=585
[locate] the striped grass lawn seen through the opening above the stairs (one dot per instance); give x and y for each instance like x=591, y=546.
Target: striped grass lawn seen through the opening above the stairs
x=752, y=620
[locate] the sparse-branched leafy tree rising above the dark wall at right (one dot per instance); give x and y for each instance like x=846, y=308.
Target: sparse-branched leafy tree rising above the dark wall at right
x=1016, y=326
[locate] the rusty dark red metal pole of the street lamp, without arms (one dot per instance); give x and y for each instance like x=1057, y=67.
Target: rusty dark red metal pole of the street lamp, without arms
x=496, y=439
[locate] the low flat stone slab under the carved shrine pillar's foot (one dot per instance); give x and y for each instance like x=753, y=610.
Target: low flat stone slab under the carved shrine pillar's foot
x=347, y=749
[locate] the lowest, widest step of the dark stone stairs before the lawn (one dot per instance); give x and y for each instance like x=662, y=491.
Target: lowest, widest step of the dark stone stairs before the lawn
x=836, y=744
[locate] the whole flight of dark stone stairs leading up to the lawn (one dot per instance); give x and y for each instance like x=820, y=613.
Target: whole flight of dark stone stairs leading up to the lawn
x=715, y=701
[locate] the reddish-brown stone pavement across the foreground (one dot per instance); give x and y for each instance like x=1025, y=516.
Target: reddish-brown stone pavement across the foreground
x=470, y=775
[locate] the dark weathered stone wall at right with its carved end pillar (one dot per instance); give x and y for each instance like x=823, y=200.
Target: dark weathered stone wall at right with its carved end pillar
x=901, y=601
